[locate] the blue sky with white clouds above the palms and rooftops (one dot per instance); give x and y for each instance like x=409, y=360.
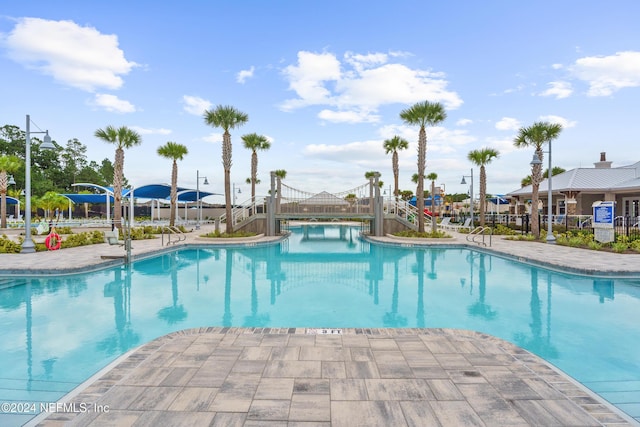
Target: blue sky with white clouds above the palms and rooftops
x=326, y=81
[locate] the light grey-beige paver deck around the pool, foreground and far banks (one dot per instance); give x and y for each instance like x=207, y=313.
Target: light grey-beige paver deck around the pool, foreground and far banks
x=359, y=377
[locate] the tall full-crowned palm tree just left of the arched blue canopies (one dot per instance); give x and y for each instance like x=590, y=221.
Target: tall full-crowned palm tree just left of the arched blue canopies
x=122, y=137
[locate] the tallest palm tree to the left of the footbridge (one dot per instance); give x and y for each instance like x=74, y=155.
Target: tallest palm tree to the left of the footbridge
x=226, y=117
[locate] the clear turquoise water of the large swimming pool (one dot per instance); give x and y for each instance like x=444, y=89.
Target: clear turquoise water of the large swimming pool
x=57, y=332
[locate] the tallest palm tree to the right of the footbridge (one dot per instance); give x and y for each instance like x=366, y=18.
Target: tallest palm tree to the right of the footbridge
x=422, y=114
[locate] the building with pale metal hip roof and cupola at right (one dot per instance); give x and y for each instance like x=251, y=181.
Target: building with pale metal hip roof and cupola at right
x=575, y=190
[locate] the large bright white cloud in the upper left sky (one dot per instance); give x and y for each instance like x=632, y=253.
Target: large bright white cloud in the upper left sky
x=76, y=56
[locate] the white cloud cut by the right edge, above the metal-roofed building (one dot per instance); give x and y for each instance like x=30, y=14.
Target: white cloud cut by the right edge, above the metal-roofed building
x=608, y=74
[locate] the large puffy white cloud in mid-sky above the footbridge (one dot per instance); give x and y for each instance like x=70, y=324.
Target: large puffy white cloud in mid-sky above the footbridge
x=360, y=85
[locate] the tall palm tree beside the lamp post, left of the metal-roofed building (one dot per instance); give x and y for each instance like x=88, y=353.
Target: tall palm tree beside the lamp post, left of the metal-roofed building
x=536, y=136
